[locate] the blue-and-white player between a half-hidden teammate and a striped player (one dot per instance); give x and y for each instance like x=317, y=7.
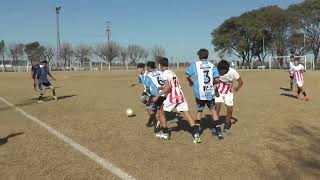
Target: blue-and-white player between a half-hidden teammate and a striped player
x=153, y=83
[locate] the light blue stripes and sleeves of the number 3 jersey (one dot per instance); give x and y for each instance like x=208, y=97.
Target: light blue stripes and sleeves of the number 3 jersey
x=192, y=71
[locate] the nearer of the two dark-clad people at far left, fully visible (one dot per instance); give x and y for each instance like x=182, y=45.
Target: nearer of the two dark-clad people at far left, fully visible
x=43, y=82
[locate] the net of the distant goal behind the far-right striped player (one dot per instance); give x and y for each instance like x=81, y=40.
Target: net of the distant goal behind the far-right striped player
x=282, y=62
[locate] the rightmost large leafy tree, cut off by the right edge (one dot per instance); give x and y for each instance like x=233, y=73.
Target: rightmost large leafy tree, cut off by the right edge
x=307, y=18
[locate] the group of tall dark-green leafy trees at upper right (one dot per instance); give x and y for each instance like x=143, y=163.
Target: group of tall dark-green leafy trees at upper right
x=271, y=31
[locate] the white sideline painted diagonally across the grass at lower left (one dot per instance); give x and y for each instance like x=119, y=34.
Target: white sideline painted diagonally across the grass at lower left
x=103, y=162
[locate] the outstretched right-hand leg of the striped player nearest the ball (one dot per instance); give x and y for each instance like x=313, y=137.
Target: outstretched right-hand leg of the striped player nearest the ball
x=195, y=130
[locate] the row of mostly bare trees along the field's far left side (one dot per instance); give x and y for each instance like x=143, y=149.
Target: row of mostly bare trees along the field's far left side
x=83, y=53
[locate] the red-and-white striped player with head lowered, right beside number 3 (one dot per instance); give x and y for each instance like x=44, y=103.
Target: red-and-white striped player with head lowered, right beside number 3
x=227, y=77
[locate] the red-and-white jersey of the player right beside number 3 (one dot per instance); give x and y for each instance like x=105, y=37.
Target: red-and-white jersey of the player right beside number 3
x=226, y=81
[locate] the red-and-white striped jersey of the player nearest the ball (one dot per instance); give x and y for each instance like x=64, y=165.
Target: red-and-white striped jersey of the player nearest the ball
x=175, y=94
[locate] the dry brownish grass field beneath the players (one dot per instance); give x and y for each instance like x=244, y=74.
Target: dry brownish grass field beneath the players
x=276, y=136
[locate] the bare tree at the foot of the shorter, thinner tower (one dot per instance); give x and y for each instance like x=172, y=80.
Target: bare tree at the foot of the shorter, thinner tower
x=107, y=52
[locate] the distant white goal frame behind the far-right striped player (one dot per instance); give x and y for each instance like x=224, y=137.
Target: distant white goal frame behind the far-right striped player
x=303, y=60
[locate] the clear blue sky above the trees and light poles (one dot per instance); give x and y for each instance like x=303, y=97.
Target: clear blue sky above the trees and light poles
x=182, y=27
